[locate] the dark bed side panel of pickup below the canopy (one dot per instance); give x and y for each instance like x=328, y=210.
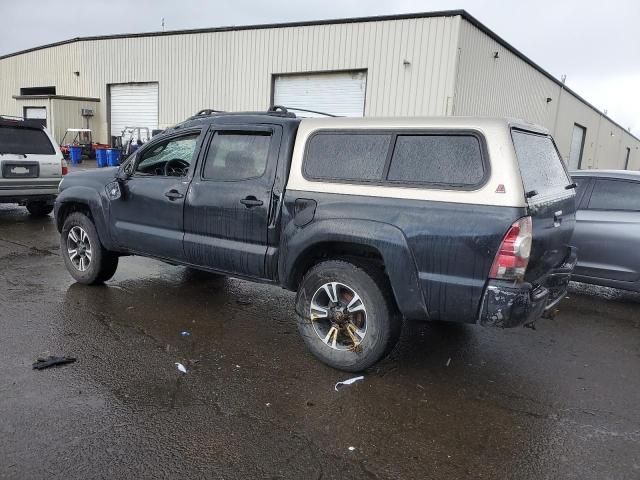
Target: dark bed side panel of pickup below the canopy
x=450, y=246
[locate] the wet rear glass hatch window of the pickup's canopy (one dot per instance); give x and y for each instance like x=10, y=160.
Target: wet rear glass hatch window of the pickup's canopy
x=542, y=170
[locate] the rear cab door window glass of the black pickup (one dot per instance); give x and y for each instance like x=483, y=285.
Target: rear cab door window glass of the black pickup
x=237, y=155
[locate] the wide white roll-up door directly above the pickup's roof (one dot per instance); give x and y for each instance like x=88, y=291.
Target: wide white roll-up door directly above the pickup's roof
x=339, y=94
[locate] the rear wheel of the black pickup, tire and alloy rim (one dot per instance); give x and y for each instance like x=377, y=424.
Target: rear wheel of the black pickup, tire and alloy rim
x=346, y=315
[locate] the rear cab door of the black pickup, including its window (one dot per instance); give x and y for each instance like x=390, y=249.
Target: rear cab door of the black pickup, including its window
x=230, y=201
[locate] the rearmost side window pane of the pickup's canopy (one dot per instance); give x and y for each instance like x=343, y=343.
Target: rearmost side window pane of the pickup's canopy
x=437, y=159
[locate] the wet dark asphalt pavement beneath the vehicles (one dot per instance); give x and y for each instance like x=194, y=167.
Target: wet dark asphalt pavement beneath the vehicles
x=452, y=401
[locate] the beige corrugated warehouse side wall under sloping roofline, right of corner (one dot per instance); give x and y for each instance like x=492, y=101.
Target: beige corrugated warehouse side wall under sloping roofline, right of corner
x=508, y=86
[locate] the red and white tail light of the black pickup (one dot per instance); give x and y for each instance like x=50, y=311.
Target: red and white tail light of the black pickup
x=513, y=256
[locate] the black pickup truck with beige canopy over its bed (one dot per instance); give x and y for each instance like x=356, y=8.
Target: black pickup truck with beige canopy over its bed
x=371, y=221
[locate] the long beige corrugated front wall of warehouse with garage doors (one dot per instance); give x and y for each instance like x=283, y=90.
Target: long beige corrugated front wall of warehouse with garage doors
x=233, y=70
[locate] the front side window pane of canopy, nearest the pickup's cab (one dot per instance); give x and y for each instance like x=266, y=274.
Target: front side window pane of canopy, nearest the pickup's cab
x=347, y=156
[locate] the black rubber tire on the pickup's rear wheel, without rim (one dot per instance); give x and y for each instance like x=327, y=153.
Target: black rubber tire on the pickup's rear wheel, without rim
x=383, y=322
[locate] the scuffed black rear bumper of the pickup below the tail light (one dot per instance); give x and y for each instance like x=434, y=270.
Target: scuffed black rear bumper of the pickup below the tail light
x=506, y=304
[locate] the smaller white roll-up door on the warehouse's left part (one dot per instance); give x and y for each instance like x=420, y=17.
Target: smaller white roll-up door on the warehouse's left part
x=133, y=105
